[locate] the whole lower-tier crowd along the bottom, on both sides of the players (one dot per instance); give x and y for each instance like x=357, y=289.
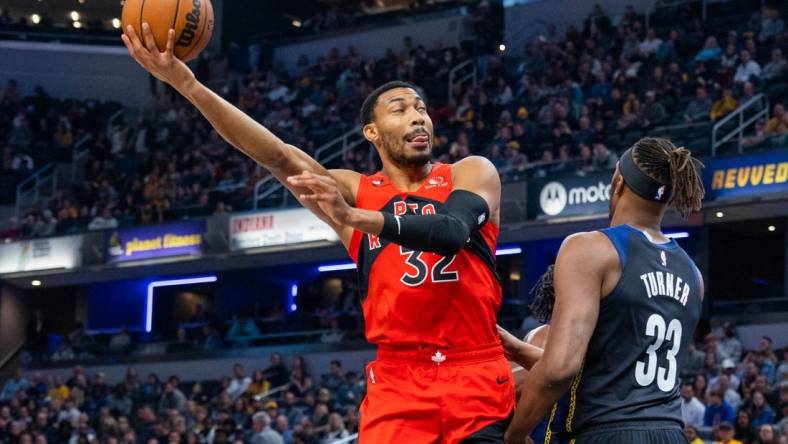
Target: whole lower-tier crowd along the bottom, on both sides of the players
x=737, y=396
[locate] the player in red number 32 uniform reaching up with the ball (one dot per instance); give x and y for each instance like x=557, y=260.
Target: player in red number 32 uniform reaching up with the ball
x=423, y=236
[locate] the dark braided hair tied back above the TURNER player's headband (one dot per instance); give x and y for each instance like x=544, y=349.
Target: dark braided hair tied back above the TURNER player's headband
x=664, y=162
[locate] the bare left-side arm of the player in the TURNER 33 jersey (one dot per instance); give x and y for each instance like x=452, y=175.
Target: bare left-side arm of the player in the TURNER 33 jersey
x=581, y=266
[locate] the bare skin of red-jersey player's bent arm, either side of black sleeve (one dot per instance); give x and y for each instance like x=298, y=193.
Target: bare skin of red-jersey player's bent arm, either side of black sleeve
x=474, y=174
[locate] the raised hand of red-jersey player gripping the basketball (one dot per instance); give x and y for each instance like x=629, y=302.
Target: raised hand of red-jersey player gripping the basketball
x=163, y=65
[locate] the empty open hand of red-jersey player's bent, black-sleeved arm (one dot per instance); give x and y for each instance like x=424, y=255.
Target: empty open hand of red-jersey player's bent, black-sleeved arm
x=325, y=193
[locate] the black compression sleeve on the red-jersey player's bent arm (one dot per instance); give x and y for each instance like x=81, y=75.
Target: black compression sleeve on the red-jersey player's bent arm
x=445, y=233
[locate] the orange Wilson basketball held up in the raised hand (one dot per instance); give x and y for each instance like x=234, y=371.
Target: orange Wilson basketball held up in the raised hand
x=191, y=20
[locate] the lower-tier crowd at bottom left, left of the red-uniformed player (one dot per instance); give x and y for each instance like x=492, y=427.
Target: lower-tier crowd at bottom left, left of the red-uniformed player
x=274, y=405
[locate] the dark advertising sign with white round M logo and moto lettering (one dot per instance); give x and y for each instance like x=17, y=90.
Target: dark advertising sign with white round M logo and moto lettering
x=569, y=195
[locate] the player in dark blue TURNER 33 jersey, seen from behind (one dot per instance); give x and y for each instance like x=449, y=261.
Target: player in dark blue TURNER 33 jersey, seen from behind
x=627, y=300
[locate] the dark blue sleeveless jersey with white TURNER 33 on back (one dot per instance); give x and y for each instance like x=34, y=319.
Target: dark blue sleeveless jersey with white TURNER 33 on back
x=639, y=346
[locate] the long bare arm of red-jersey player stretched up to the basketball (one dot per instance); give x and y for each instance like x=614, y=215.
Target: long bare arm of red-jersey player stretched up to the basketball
x=238, y=129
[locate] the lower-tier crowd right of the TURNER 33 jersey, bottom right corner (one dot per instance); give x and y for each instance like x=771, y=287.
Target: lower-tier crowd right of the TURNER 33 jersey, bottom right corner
x=741, y=396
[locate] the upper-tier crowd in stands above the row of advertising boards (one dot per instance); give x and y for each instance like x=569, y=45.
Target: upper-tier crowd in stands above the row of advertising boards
x=566, y=104
